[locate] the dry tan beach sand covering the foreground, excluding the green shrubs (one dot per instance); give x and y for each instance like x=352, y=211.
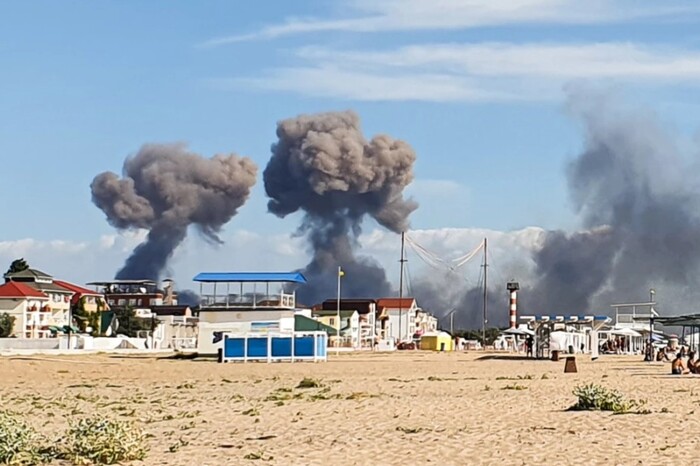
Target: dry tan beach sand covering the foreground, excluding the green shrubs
x=372, y=409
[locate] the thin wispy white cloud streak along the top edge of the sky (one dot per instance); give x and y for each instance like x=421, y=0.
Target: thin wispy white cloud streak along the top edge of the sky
x=403, y=15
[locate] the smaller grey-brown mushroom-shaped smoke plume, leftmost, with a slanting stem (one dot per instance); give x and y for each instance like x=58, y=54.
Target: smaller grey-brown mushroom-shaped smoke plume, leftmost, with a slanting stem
x=165, y=189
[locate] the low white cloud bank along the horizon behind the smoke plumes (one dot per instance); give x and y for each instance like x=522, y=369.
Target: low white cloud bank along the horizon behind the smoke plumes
x=247, y=251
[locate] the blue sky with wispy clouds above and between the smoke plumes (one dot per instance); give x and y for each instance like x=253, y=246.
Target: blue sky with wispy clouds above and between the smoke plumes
x=477, y=88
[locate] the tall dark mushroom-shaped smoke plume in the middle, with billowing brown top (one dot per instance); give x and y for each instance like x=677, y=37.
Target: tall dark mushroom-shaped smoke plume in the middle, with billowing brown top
x=323, y=166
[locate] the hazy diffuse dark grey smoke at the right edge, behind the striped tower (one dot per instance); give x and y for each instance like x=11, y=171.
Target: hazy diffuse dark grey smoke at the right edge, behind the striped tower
x=638, y=198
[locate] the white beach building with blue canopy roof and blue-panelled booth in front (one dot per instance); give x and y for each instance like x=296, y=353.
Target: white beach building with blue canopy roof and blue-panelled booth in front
x=252, y=316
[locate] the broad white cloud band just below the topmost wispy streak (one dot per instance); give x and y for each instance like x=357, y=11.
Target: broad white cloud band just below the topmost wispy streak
x=474, y=72
